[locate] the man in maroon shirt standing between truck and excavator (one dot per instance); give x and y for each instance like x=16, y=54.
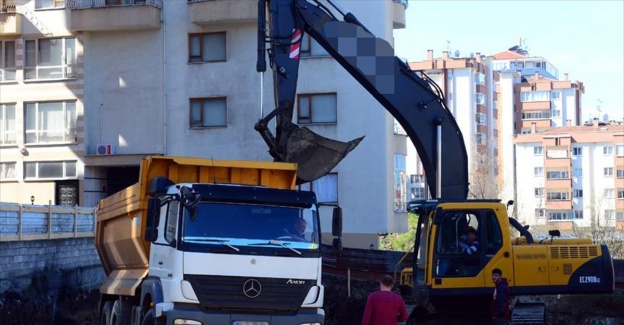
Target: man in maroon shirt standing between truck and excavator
x=384, y=307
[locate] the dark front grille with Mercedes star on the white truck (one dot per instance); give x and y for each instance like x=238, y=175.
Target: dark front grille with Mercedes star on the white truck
x=227, y=294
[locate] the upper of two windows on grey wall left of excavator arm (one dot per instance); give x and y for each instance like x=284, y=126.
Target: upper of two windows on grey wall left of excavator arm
x=207, y=47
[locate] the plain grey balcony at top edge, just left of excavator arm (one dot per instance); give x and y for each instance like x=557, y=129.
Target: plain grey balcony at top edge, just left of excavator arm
x=213, y=12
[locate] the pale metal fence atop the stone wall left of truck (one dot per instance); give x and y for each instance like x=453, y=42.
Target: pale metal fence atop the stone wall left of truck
x=36, y=222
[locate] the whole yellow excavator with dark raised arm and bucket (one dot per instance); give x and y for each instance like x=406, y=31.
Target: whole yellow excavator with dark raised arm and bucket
x=454, y=284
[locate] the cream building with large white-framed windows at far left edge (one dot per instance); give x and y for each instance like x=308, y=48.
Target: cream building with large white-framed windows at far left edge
x=42, y=138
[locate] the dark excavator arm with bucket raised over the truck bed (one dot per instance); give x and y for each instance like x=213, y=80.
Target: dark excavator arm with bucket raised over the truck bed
x=415, y=102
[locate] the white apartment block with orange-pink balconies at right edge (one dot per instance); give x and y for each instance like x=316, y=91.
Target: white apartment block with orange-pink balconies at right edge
x=571, y=176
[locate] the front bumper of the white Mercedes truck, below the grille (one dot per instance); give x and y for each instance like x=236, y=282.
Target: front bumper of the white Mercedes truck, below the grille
x=304, y=316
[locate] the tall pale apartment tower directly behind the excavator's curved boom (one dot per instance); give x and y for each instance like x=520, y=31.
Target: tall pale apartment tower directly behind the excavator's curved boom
x=469, y=88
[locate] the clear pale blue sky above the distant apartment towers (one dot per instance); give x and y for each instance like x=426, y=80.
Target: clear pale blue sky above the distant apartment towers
x=582, y=38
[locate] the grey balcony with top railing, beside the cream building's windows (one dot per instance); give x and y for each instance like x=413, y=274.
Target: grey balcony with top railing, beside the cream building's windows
x=114, y=15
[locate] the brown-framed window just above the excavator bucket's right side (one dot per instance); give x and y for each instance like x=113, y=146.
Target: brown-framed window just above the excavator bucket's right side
x=316, y=108
